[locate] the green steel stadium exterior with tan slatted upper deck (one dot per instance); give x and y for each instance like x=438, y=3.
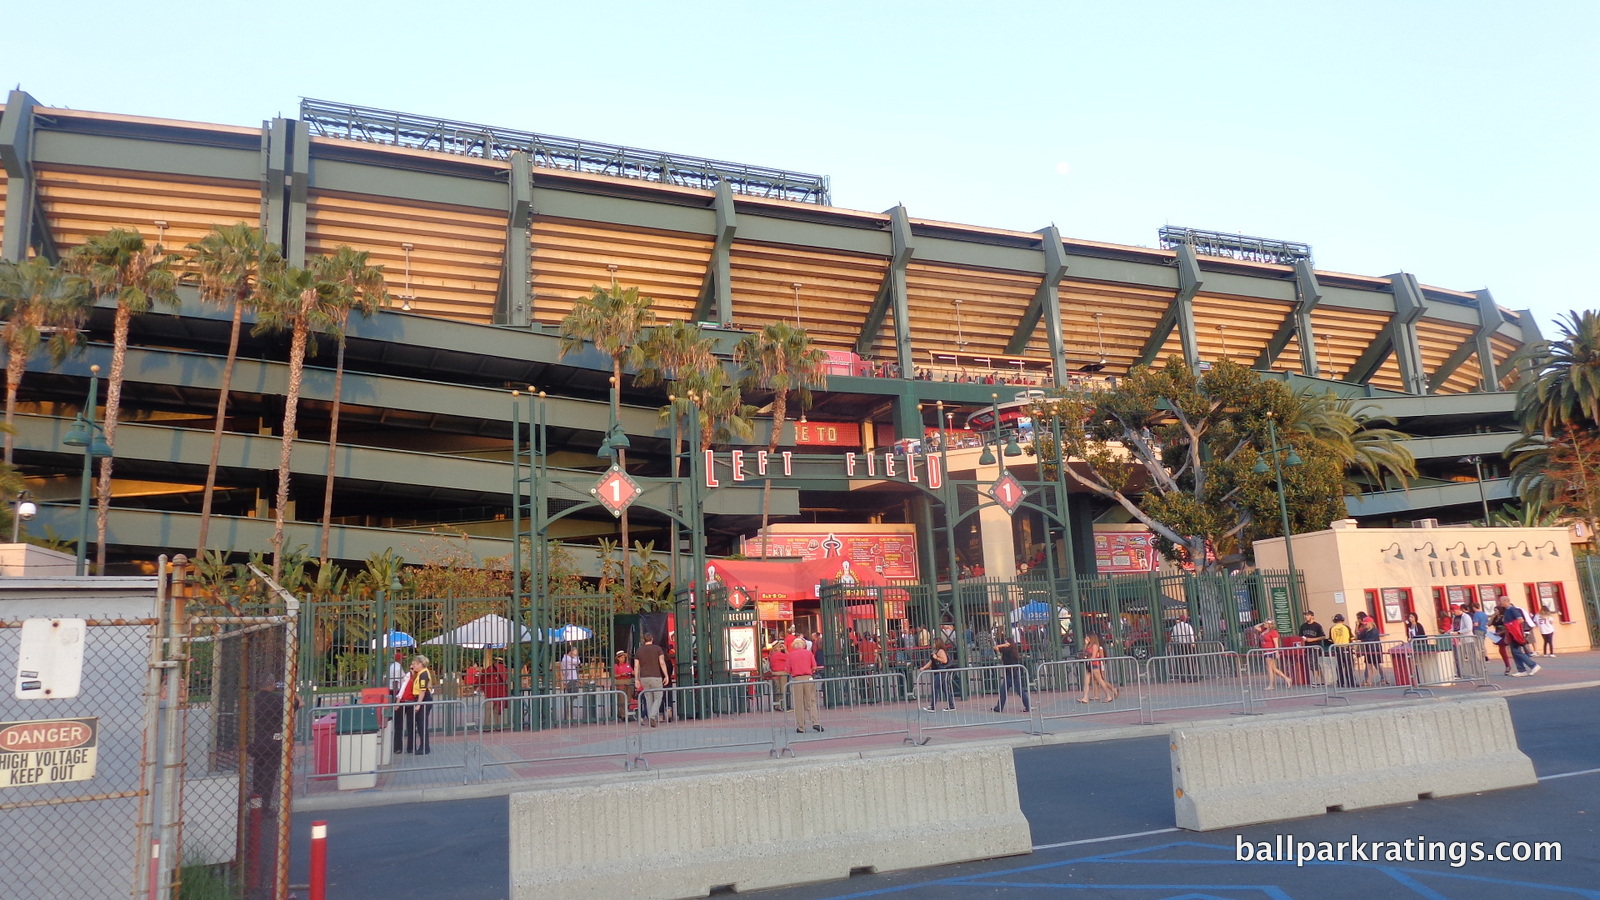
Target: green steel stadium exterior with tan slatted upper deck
x=489, y=238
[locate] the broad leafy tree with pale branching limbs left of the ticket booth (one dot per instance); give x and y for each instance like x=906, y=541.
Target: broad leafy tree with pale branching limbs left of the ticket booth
x=1178, y=452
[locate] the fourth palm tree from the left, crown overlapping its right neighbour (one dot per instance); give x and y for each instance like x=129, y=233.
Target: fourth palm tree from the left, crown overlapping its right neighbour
x=300, y=302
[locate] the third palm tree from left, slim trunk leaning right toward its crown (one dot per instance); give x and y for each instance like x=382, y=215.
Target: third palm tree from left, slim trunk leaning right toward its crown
x=230, y=262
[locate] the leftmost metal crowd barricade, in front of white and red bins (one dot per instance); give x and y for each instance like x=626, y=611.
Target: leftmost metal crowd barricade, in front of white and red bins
x=361, y=745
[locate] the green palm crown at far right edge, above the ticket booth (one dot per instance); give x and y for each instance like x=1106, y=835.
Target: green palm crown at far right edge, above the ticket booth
x=1562, y=385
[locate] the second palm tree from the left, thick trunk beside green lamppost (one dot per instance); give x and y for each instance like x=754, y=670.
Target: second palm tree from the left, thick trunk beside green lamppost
x=121, y=265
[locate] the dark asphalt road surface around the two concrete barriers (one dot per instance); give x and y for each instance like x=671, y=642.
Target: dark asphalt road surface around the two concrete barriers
x=1102, y=819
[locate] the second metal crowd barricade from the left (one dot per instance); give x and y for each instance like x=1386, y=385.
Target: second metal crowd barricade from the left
x=553, y=728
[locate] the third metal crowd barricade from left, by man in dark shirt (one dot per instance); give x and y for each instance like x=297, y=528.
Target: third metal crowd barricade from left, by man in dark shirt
x=710, y=717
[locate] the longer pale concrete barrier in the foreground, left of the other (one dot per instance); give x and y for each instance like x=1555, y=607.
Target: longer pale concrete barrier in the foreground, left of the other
x=790, y=824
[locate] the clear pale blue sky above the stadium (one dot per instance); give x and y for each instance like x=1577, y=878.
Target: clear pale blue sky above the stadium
x=1447, y=139
